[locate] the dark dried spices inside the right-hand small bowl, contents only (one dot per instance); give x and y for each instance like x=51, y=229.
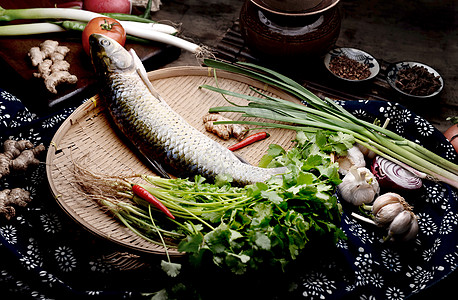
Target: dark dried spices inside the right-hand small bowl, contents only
x=417, y=80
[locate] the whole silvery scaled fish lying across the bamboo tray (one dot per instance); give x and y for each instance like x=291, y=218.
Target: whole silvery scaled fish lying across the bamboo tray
x=156, y=129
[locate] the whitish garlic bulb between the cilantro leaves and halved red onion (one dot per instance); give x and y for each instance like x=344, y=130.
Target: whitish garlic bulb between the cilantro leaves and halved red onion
x=359, y=186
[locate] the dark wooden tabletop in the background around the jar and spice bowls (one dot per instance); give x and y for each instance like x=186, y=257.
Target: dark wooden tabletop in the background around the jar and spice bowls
x=392, y=31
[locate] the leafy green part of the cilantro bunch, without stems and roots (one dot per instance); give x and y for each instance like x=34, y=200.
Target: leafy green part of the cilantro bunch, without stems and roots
x=283, y=214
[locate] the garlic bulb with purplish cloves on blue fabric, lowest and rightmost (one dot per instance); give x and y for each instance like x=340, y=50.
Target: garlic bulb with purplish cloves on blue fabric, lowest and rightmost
x=392, y=211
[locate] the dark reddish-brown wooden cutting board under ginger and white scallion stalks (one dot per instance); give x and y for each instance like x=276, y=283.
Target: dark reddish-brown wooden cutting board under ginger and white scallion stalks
x=17, y=70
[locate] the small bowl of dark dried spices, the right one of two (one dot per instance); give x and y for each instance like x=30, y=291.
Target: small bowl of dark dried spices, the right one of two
x=414, y=79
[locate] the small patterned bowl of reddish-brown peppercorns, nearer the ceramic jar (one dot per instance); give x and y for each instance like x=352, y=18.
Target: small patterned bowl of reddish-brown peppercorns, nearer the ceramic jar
x=351, y=64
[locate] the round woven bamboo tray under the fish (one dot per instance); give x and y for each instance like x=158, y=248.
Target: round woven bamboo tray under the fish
x=88, y=133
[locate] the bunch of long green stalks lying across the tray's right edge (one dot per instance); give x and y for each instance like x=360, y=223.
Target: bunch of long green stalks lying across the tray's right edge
x=326, y=114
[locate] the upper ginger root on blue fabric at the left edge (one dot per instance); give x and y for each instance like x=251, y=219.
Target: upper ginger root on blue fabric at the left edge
x=18, y=156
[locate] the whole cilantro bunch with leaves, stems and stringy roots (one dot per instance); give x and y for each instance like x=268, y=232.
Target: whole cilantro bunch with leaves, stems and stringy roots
x=242, y=228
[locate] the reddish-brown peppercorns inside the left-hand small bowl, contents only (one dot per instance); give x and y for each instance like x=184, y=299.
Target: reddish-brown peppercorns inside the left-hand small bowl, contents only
x=348, y=68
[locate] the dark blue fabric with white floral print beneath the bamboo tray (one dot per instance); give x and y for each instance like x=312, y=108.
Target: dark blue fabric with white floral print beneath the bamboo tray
x=44, y=254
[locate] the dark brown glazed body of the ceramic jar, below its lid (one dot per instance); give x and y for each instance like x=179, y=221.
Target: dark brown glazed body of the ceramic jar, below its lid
x=289, y=35
